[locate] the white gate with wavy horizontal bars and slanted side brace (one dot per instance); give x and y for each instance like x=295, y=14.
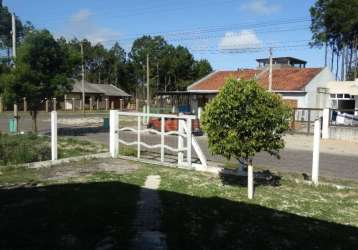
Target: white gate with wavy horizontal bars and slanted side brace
x=185, y=140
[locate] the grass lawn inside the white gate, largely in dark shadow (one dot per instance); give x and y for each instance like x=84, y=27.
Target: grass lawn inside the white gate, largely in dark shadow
x=199, y=211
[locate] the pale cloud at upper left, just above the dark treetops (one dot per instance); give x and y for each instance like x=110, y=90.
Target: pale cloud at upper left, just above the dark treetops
x=82, y=26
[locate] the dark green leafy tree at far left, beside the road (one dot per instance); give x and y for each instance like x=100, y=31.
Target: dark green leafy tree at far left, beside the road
x=41, y=73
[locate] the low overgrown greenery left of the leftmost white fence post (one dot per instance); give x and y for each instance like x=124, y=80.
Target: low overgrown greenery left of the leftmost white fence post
x=17, y=149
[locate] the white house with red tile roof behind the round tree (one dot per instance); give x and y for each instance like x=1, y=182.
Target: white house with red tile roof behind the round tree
x=299, y=86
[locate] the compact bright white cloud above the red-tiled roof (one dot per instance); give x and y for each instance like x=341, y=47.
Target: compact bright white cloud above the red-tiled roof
x=240, y=41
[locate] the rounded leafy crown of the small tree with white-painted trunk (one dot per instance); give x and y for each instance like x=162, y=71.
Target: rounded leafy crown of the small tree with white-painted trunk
x=244, y=119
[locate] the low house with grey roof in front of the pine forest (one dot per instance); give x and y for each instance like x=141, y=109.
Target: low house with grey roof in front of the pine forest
x=95, y=93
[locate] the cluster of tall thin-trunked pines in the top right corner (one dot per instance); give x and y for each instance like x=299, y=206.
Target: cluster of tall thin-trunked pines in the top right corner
x=335, y=25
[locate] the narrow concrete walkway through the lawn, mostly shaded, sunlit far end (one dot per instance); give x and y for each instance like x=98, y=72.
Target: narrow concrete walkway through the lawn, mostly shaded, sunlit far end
x=147, y=223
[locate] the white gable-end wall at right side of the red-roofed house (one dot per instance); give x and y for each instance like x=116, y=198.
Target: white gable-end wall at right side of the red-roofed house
x=319, y=81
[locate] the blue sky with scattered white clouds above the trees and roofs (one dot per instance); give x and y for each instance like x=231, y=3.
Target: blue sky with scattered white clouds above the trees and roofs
x=231, y=34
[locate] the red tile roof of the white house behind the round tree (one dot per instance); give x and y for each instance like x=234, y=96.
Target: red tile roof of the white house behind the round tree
x=284, y=79
